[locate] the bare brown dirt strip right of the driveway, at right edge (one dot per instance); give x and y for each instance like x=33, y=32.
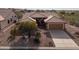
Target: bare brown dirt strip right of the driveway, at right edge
x=71, y=30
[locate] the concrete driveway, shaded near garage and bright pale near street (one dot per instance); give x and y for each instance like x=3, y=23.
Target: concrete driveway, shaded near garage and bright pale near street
x=62, y=39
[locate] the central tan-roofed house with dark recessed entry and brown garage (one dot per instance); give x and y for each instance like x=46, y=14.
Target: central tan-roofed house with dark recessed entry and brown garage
x=48, y=20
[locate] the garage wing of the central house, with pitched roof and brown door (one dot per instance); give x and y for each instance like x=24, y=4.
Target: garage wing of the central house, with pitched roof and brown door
x=54, y=23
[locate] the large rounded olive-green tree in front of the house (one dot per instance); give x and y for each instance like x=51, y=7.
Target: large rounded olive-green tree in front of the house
x=27, y=27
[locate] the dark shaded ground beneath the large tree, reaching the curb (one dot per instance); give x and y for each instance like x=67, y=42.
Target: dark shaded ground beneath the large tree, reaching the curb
x=24, y=44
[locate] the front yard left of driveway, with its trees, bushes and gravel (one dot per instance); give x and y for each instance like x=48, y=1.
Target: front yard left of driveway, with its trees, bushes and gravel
x=29, y=35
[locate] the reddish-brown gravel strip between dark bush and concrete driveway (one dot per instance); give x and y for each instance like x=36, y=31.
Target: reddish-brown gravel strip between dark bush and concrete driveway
x=46, y=39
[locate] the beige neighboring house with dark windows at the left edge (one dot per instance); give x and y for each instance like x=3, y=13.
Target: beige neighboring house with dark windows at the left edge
x=7, y=17
